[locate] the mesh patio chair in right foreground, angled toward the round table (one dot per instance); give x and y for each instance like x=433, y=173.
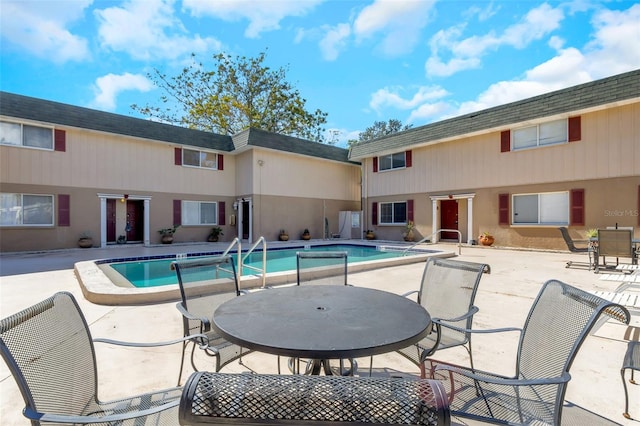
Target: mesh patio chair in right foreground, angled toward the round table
x=559, y=321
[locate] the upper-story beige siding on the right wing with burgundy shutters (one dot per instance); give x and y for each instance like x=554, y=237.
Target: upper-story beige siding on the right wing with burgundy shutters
x=610, y=148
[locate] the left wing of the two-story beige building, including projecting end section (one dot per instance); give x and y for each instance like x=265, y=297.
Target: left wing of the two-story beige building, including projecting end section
x=66, y=170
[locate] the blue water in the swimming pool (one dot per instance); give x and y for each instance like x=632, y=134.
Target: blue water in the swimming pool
x=157, y=272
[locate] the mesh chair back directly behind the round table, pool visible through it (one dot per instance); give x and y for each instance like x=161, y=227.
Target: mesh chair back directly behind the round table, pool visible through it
x=321, y=267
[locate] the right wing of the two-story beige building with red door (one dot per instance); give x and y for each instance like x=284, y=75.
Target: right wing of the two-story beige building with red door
x=517, y=171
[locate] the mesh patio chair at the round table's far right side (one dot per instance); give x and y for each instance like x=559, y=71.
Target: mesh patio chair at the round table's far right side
x=447, y=291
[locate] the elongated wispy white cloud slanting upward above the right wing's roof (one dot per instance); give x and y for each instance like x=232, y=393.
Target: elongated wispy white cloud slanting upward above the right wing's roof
x=466, y=53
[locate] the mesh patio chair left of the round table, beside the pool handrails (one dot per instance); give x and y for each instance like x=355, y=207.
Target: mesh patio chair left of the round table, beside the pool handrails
x=205, y=283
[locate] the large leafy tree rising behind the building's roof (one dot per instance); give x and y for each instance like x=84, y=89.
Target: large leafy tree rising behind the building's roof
x=239, y=93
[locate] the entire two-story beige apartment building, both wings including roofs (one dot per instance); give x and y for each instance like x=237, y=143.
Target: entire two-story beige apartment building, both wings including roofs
x=518, y=171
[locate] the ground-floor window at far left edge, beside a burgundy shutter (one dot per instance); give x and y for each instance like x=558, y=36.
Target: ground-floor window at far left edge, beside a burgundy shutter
x=26, y=210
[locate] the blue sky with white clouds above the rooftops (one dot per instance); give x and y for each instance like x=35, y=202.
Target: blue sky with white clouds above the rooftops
x=418, y=61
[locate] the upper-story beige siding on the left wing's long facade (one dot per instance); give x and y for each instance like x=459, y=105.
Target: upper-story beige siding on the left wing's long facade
x=109, y=161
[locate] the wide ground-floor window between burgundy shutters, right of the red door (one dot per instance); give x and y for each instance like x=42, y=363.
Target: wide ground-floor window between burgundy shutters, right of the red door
x=551, y=208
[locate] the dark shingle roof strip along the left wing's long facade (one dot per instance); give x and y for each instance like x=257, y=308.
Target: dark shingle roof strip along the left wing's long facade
x=18, y=106
